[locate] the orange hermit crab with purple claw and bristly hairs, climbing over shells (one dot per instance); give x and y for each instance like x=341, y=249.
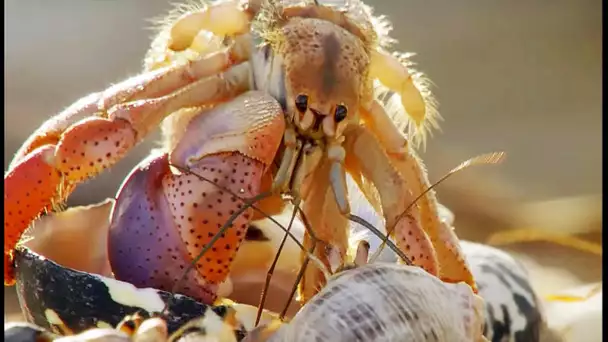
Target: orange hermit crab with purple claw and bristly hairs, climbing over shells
x=257, y=99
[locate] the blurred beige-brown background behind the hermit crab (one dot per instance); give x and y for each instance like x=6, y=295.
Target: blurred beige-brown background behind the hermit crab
x=520, y=77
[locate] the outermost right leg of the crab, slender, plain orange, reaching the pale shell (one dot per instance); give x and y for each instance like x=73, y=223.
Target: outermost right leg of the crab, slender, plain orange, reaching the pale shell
x=452, y=263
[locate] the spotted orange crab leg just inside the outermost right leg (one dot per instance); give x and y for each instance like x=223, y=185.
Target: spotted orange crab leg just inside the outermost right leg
x=366, y=156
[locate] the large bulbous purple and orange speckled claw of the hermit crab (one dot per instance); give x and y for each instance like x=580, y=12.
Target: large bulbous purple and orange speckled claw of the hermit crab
x=164, y=216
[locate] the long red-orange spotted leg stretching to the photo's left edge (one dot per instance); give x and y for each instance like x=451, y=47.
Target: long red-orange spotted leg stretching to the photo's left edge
x=85, y=140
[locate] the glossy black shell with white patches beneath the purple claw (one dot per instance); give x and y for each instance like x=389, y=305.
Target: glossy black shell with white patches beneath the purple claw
x=64, y=300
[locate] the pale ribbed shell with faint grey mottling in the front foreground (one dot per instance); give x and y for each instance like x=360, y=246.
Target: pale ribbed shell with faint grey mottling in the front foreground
x=387, y=302
